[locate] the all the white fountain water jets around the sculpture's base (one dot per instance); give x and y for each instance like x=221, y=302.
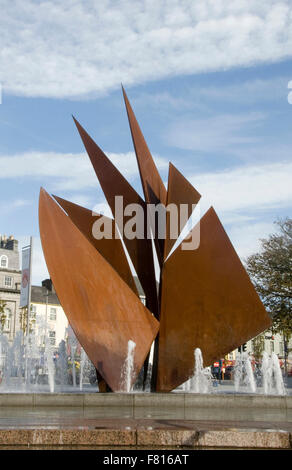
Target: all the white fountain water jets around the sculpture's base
x=30, y=366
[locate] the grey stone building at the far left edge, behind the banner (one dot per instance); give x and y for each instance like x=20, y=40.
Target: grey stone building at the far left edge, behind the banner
x=10, y=282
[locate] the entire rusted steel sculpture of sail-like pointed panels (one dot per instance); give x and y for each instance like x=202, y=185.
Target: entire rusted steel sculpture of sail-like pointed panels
x=205, y=298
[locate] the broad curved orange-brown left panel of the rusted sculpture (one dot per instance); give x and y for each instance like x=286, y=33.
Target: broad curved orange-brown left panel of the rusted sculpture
x=102, y=310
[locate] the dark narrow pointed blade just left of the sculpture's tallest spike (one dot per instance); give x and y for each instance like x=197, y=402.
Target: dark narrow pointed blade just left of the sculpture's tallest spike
x=114, y=184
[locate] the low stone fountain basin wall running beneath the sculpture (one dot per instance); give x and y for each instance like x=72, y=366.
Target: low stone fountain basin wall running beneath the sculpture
x=144, y=420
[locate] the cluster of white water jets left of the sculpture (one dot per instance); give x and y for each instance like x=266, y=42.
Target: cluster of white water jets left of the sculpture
x=32, y=364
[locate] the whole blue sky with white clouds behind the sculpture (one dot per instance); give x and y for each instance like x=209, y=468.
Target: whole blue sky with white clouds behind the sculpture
x=208, y=82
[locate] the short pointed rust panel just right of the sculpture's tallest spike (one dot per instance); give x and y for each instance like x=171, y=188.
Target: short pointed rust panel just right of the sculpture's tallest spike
x=179, y=191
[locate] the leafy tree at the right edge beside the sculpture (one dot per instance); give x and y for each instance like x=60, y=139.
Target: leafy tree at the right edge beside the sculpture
x=271, y=272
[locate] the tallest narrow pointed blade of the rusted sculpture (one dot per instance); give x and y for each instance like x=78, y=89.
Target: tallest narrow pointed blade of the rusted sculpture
x=153, y=187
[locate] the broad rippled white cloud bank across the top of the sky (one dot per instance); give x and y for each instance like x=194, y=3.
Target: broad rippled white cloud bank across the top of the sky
x=74, y=48
